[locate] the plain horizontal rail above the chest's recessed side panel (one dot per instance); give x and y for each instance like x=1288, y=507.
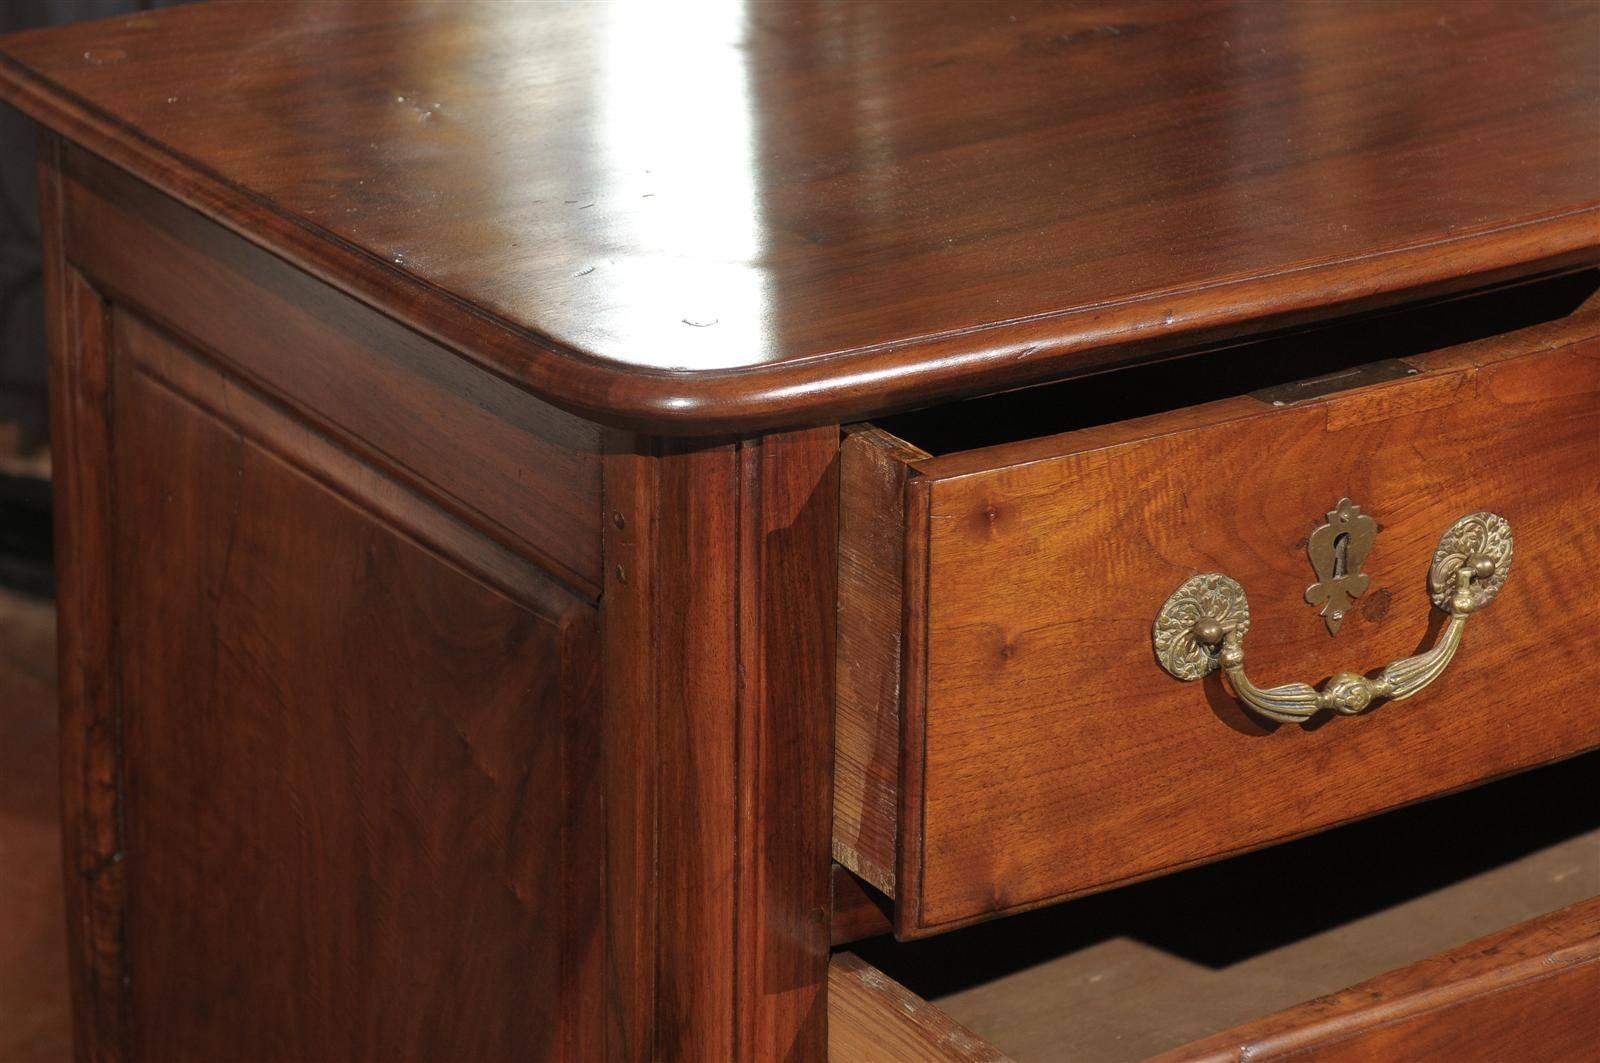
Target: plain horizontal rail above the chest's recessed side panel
x=522, y=471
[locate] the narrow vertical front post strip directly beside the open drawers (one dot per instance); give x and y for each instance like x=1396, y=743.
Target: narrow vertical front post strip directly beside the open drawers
x=788, y=571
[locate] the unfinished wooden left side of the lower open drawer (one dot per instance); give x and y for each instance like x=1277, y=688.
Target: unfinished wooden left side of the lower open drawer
x=873, y=1019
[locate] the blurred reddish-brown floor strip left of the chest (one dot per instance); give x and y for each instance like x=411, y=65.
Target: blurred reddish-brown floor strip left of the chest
x=34, y=1024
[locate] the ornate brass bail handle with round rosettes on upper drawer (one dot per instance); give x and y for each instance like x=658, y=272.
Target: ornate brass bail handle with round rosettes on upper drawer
x=1204, y=624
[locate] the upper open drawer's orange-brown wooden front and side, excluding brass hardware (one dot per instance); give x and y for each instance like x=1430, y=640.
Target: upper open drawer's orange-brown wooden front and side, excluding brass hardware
x=1041, y=752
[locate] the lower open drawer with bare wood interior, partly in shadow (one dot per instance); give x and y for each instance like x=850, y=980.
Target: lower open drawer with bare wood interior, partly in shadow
x=1470, y=929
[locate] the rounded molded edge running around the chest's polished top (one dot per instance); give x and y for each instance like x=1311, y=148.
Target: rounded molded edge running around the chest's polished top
x=844, y=385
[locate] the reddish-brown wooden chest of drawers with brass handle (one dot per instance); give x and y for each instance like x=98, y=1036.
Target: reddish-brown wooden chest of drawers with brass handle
x=538, y=486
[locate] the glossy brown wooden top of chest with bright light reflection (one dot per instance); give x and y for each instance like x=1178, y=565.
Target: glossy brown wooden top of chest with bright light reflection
x=727, y=215
